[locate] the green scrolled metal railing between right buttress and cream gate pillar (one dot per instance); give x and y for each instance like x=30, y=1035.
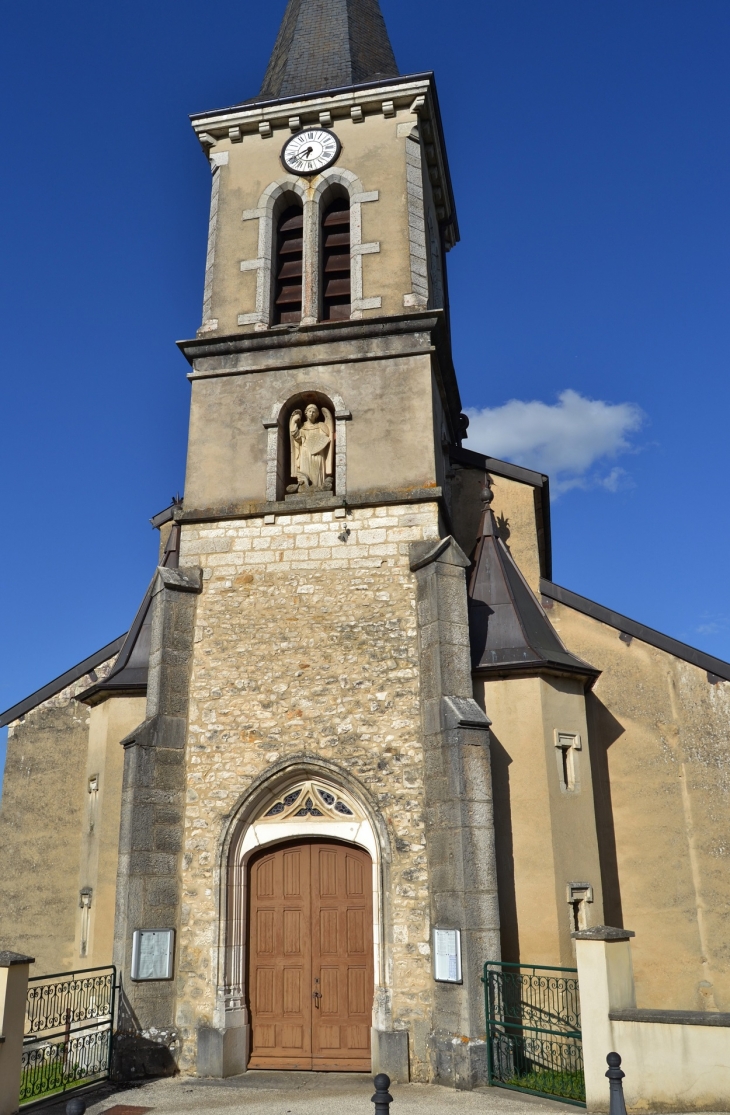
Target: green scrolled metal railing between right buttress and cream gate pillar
x=534, y=1030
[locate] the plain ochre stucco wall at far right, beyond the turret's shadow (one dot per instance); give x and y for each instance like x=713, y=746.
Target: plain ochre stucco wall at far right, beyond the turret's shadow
x=660, y=745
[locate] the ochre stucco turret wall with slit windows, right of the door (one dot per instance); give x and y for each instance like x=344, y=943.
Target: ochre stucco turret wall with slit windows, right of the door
x=546, y=837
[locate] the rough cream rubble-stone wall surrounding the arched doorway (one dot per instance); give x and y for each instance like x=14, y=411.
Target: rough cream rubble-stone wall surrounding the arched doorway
x=307, y=645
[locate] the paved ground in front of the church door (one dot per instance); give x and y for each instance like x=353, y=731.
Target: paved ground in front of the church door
x=265, y=1093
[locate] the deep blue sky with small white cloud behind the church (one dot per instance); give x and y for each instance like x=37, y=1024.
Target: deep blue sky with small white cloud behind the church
x=590, y=153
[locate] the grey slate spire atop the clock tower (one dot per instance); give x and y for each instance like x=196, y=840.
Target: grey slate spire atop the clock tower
x=328, y=45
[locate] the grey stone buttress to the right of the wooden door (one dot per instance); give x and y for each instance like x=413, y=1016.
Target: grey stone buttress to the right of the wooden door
x=460, y=827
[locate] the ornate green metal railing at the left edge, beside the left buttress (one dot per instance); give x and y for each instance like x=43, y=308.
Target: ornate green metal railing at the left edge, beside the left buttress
x=70, y=1020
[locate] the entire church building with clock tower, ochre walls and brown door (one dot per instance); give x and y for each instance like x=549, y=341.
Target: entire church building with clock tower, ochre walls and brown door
x=356, y=742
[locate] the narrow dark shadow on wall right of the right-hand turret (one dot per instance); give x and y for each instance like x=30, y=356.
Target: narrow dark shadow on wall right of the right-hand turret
x=604, y=731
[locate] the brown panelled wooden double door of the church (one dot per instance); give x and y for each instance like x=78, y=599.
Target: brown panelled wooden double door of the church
x=310, y=957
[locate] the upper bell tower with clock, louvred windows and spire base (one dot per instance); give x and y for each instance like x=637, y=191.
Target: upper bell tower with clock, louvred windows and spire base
x=330, y=220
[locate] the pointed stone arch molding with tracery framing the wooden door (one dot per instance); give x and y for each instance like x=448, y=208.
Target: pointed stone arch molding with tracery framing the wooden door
x=249, y=830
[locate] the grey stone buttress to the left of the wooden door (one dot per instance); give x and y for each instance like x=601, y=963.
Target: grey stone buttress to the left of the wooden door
x=151, y=835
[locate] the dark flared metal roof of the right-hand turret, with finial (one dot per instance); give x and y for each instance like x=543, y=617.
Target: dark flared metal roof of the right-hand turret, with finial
x=509, y=629
